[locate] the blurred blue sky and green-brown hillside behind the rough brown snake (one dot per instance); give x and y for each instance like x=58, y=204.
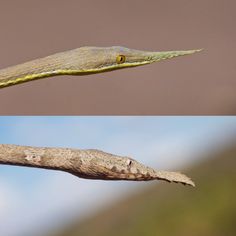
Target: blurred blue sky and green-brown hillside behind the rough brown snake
x=45, y=202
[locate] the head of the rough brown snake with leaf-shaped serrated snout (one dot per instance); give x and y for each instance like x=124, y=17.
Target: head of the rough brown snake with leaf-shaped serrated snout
x=95, y=164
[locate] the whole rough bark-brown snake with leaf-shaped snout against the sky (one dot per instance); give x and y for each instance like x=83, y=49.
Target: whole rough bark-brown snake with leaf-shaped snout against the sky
x=88, y=164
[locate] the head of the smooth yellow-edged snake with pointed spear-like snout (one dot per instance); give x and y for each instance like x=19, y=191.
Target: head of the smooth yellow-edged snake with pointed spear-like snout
x=101, y=59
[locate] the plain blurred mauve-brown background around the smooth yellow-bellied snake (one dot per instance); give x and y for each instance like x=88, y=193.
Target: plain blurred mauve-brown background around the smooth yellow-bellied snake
x=202, y=83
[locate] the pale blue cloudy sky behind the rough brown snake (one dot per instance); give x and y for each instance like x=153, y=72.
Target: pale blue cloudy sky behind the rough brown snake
x=42, y=195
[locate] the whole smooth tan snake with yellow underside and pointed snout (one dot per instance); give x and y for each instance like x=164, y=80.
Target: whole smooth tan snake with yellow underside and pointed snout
x=82, y=61
